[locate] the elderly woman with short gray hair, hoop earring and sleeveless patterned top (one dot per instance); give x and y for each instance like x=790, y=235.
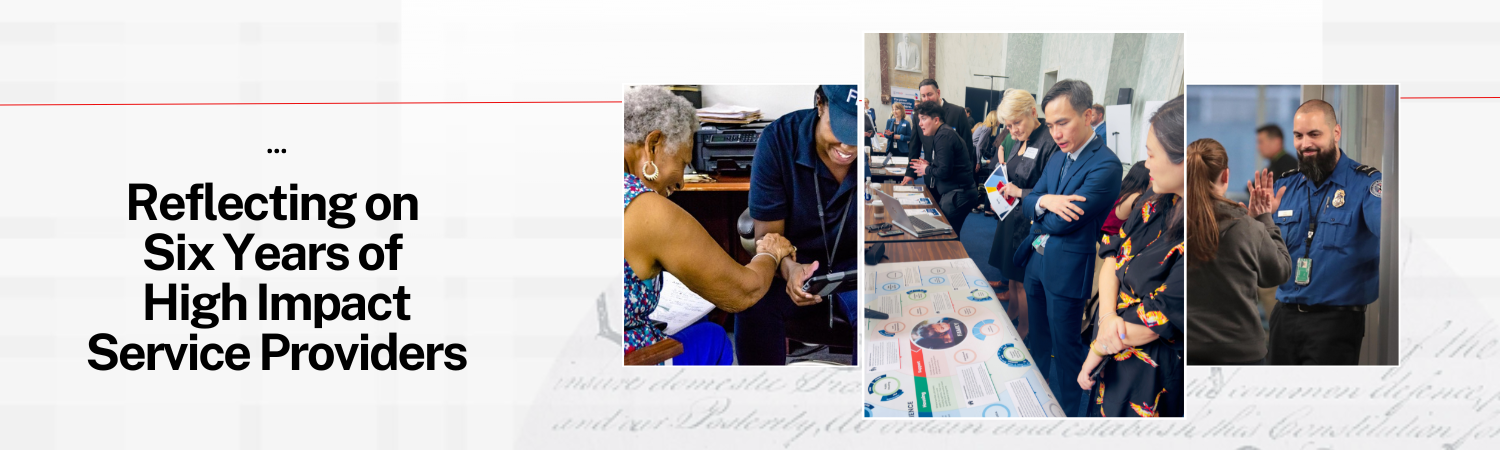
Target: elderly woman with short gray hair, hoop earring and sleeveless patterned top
x=662, y=238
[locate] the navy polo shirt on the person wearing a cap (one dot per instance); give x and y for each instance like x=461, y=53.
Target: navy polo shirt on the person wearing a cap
x=782, y=178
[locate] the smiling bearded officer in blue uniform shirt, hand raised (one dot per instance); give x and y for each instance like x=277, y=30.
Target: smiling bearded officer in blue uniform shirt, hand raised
x=1330, y=212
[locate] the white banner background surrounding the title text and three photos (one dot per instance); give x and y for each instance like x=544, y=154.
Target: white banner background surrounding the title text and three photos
x=518, y=235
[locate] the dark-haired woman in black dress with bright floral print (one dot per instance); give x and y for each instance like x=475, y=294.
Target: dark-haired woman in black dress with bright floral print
x=1138, y=349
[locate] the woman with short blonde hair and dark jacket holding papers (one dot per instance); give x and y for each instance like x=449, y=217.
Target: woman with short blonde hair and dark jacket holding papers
x=1033, y=148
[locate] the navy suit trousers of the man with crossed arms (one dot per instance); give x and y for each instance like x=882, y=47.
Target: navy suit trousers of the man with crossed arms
x=1055, y=340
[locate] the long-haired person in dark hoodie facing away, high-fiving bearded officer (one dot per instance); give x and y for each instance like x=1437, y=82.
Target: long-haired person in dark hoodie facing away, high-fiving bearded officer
x=1237, y=250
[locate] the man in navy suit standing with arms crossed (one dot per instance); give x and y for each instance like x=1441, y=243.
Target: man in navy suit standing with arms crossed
x=1069, y=206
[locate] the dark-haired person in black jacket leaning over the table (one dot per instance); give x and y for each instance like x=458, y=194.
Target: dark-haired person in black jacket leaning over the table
x=950, y=173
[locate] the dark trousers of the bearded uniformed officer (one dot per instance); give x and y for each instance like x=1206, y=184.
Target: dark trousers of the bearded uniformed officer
x=1327, y=338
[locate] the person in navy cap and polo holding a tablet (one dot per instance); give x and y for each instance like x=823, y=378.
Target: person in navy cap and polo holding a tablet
x=802, y=188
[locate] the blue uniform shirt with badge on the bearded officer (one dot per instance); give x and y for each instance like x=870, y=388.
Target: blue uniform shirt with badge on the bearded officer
x=1346, y=247
